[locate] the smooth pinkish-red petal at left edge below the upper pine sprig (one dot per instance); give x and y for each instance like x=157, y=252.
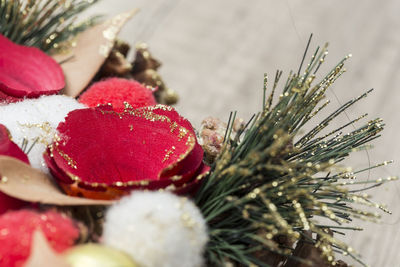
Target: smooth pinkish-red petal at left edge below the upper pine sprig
x=27, y=71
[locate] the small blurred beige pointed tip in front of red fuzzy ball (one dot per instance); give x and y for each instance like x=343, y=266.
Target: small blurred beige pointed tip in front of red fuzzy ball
x=42, y=254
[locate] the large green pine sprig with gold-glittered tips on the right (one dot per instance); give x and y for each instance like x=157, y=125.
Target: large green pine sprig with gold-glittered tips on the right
x=271, y=181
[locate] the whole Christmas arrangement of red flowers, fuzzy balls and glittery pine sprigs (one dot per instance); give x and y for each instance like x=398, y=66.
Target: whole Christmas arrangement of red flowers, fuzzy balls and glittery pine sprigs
x=269, y=192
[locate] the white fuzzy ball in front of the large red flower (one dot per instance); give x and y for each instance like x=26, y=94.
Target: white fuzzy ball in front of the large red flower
x=157, y=229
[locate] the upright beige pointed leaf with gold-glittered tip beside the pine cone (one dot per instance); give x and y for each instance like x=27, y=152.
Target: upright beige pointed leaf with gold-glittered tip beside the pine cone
x=91, y=50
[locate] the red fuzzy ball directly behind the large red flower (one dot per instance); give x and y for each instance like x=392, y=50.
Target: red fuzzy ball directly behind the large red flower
x=116, y=91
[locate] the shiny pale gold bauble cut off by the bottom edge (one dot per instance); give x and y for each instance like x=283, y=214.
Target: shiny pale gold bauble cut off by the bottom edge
x=94, y=255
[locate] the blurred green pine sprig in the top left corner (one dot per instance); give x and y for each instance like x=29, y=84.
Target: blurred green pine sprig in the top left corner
x=45, y=24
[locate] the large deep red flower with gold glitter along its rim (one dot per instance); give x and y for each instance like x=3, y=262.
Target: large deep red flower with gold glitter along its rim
x=138, y=149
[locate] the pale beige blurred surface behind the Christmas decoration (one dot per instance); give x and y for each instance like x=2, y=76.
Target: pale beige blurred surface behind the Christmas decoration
x=215, y=54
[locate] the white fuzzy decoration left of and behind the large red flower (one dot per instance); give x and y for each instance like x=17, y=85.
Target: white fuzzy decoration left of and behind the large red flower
x=36, y=118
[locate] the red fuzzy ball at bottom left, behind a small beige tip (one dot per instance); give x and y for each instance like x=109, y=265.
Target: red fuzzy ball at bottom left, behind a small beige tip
x=18, y=227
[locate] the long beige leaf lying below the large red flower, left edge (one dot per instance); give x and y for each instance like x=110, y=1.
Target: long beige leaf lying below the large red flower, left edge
x=21, y=181
